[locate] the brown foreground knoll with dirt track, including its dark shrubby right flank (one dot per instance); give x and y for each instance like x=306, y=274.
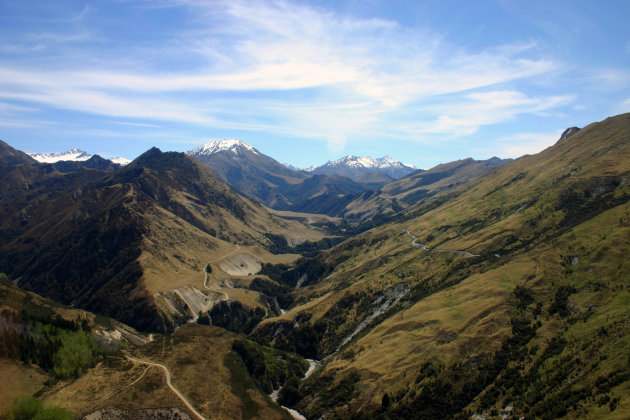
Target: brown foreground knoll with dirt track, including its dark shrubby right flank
x=207, y=365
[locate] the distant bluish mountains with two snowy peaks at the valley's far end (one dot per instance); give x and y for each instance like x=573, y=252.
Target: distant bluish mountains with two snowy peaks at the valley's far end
x=341, y=188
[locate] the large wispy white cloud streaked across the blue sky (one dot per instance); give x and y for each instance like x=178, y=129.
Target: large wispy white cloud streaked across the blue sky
x=324, y=75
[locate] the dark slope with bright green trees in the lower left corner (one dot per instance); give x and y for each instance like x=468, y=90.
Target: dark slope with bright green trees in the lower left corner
x=42, y=341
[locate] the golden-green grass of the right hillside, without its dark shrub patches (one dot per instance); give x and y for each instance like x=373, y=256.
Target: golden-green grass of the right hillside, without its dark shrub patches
x=528, y=221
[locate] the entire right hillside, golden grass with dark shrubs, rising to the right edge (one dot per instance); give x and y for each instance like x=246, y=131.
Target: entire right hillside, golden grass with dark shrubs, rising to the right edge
x=510, y=298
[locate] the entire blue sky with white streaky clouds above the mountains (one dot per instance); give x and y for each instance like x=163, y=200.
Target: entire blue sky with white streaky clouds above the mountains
x=310, y=81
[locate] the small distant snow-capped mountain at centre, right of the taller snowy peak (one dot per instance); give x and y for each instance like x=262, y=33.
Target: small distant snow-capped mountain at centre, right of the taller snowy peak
x=356, y=166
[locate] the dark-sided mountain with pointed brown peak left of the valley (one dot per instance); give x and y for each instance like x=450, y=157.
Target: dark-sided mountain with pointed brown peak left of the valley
x=111, y=241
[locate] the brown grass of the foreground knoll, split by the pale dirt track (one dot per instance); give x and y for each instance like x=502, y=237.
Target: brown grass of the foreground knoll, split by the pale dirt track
x=203, y=368
